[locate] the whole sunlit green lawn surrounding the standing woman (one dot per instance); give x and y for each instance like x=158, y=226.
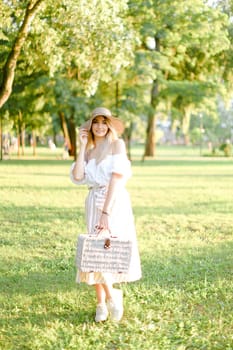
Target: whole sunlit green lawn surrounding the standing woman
x=183, y=212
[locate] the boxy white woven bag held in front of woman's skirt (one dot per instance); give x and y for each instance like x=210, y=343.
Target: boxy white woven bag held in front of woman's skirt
x=103, y=254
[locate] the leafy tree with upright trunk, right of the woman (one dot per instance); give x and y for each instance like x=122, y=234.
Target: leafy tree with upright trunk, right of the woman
x=180, y=31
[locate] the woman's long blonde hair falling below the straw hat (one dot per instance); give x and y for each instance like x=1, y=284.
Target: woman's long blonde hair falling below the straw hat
x=106, y=147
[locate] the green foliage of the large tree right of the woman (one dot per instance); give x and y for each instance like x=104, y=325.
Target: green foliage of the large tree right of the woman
x=183, y=66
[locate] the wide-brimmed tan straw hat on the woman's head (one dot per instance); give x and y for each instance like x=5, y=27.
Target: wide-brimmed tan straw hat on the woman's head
x=116, y=123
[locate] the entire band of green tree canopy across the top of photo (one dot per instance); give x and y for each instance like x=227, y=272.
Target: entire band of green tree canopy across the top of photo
x=138, y=58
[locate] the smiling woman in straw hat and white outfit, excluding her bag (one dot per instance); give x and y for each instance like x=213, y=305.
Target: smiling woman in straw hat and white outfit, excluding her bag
x=103, y=165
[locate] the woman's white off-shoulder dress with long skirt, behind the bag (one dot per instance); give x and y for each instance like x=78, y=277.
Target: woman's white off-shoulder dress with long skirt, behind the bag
x=121, y=220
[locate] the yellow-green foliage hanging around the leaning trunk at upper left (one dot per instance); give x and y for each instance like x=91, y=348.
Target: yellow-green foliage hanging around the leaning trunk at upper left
x=69, y=50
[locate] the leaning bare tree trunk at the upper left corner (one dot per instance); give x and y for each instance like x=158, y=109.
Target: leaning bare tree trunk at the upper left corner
x=10, y=65
